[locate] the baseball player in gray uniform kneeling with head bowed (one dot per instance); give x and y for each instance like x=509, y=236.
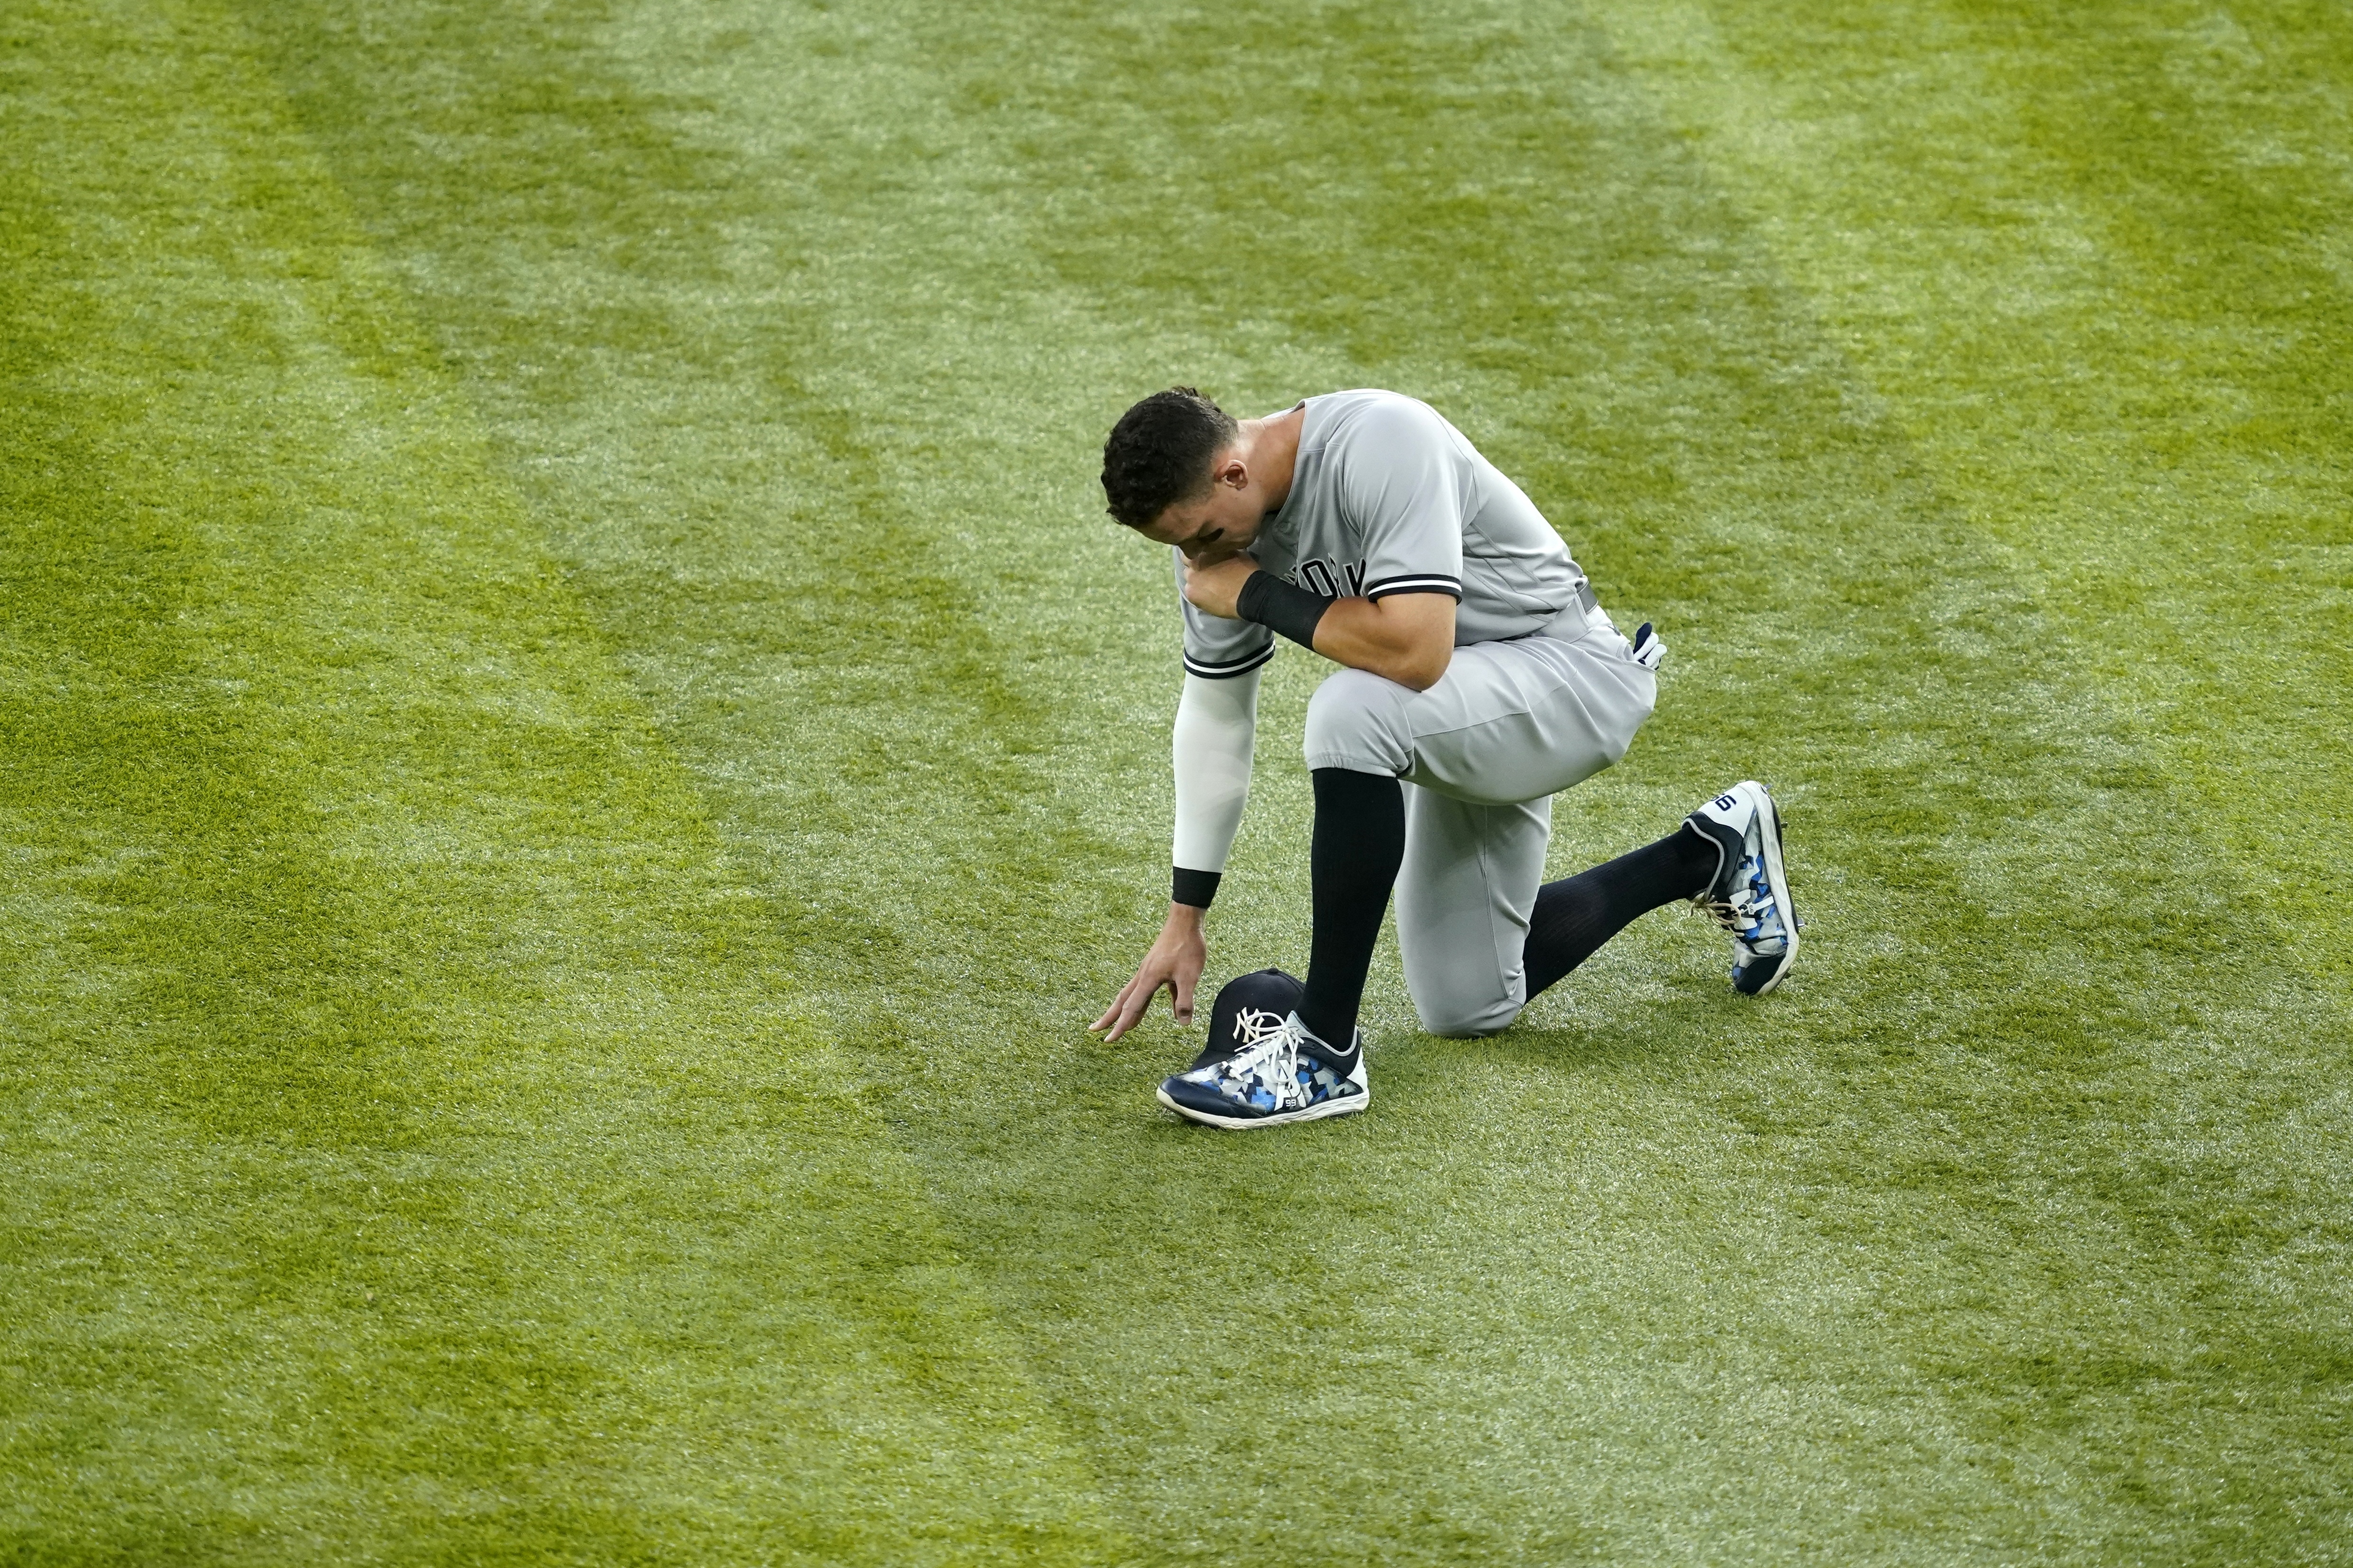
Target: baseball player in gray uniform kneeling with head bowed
x=1479, y=679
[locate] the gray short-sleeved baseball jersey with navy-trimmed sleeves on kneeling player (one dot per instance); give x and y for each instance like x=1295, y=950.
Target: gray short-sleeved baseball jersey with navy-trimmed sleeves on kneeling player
x=1389, y=498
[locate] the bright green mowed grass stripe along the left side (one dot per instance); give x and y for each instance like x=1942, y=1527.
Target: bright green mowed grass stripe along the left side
x=413, y=1152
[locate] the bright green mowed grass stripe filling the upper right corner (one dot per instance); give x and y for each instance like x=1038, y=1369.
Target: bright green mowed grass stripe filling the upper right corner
x=2128, y=218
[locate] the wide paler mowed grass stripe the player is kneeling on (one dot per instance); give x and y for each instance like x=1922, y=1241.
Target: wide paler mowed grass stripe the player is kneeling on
x=1879, y=1230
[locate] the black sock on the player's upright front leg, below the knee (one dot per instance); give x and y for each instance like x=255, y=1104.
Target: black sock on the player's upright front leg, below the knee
x=1357, y=856
